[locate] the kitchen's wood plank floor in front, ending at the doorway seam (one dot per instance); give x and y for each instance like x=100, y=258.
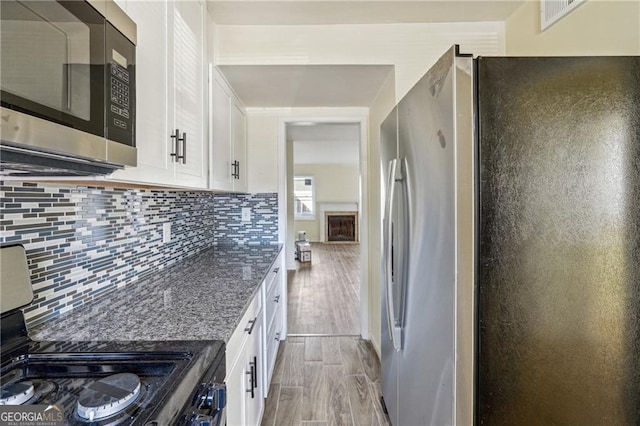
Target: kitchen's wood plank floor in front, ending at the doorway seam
x=325, y=381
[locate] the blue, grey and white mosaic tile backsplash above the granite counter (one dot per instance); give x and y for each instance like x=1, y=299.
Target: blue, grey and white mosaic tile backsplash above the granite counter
x=83, y=241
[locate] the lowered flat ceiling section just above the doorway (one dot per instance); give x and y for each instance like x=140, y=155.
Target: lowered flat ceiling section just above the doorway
x=299, y=86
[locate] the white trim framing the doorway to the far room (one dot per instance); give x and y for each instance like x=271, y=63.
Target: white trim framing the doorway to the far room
x=360, y=115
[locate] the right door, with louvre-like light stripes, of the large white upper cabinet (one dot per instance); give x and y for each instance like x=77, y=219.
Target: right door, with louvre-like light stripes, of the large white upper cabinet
x=188, y=91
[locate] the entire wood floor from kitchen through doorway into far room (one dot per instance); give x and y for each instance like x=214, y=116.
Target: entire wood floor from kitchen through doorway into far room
x=325, y=374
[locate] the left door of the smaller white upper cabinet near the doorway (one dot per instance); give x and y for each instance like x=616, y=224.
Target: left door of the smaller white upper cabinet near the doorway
x=221, y=144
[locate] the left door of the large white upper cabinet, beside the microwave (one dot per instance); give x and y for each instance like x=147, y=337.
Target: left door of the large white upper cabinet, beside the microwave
x=152, y=57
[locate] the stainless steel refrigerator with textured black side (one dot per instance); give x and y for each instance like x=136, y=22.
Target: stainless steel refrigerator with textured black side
x=511, y=262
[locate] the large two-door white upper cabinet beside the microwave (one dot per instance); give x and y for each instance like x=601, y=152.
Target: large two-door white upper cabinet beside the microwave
x=170, y=94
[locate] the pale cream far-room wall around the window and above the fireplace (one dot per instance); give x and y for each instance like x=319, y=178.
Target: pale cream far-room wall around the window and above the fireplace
x=335, y=183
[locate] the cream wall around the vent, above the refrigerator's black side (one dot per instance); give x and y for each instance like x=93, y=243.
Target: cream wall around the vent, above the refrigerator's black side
x=597, y=27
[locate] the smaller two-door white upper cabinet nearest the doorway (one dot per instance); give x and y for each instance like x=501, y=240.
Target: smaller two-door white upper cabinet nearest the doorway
x=229, y=137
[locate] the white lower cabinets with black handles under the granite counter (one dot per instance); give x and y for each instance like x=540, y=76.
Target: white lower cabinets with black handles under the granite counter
x=252, y=349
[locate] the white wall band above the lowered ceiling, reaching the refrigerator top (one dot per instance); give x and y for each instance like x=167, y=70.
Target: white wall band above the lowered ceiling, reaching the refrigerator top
x=411, y=48
